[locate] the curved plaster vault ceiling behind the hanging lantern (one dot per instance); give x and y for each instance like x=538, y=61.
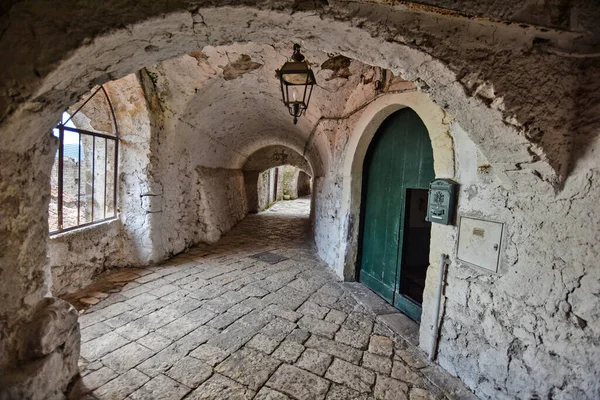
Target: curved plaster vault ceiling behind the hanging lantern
x=224, y=103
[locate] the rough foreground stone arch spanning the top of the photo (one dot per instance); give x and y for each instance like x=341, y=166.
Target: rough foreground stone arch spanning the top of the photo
x=523, y=82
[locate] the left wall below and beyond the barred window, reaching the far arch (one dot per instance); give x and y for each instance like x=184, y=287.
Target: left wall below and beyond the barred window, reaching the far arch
x=164, y=207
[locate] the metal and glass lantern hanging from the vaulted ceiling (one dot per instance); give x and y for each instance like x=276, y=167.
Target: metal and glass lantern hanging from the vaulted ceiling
x=297, y=80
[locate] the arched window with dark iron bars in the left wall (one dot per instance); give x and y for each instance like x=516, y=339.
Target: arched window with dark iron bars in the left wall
x=85, y=172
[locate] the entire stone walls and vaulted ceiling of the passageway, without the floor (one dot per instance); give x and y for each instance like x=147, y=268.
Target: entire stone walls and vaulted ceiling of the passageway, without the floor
x=482, y=84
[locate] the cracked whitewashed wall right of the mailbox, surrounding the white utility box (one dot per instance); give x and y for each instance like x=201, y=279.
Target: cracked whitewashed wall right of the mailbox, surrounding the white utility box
x=530, y=329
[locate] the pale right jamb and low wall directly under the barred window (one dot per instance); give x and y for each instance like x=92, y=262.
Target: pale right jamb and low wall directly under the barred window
x=76, y=257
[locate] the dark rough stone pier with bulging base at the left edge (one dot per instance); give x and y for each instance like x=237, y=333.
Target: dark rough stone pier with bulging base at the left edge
x=39, y=335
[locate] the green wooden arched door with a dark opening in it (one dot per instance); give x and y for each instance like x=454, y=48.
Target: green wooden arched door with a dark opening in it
x=399, y=158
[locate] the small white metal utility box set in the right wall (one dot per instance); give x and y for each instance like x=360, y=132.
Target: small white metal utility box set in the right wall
x=479, y=242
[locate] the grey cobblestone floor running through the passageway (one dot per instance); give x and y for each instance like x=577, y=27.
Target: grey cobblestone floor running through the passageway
x=256, y=316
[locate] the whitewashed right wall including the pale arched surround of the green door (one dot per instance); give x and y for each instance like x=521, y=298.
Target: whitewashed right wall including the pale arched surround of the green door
x=532, y=328
